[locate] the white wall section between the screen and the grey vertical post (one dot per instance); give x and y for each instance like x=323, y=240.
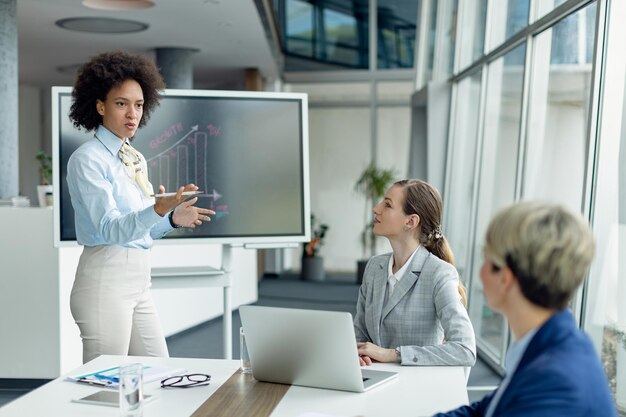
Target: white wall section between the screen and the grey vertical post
x=339, y=149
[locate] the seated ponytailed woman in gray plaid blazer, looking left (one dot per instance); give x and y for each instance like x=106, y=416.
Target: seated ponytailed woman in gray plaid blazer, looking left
x=411, y=303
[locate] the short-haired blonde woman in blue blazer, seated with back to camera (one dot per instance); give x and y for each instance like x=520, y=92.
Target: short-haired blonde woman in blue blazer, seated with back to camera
x=536, y=255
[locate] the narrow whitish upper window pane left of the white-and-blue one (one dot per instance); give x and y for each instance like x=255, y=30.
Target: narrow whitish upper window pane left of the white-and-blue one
x=472, y=26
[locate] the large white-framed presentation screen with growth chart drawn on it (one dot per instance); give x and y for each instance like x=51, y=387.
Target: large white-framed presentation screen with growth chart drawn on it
x=248, y=153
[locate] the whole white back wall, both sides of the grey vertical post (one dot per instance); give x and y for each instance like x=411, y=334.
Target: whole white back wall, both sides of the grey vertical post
x=340, y=148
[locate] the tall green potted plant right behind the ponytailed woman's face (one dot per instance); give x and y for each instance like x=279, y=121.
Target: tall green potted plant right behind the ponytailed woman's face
x=372, y=184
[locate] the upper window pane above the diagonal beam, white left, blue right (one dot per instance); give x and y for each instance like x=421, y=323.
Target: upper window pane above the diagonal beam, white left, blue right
x=507, y=18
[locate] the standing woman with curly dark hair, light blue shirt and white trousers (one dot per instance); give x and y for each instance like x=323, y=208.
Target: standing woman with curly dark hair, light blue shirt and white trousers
x=116, y=215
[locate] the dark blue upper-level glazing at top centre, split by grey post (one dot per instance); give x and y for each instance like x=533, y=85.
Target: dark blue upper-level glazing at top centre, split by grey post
x=330, y=35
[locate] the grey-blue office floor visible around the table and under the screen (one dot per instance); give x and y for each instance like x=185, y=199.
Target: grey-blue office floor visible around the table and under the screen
x=339, y=292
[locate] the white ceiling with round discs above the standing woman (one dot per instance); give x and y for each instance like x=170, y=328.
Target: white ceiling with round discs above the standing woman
x=228, y=34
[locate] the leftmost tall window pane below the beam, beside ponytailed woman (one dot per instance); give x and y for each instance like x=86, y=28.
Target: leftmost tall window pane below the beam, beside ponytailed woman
x=462, y=167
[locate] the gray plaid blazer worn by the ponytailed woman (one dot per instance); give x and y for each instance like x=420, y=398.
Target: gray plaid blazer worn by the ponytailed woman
x=424, y=316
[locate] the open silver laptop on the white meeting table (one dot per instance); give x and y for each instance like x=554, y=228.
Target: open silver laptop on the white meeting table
x=306, y=347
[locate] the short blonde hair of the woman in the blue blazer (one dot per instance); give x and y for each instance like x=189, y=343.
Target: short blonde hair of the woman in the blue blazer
x=547, y=247
